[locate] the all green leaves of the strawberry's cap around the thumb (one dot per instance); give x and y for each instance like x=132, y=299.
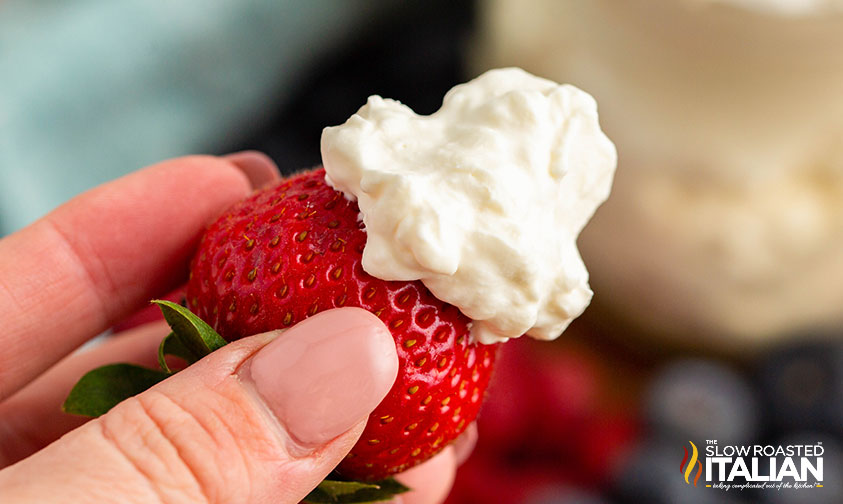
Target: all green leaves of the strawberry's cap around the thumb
x=191, y=339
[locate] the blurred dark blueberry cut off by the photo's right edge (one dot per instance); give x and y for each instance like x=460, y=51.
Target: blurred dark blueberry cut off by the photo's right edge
x=803, y=386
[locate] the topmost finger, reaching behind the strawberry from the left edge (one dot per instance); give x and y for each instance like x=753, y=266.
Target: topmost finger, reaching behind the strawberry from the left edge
x=97, y=258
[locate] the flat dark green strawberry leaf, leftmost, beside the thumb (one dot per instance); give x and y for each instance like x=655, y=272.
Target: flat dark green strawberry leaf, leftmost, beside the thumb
x=101, y=389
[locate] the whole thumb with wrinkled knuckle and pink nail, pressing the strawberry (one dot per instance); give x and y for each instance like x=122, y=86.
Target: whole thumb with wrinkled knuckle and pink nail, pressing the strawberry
x=264, y=419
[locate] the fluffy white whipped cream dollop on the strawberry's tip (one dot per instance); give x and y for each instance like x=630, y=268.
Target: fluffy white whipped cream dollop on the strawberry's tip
x=483, y=200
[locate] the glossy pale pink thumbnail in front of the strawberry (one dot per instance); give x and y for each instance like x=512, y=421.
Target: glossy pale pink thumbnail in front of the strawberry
x=325, y=374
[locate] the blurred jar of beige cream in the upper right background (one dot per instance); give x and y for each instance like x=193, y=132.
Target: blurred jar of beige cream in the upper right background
x=725, y=224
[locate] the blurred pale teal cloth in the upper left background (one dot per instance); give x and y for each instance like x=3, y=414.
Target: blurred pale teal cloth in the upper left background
x=93, y=89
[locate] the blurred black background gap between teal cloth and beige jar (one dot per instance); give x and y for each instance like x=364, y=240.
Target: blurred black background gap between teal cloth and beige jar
x=413, y=56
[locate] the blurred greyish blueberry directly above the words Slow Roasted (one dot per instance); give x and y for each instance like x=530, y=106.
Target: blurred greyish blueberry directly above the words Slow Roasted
x=699, y=400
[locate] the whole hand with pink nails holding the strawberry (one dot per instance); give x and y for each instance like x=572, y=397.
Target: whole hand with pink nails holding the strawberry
x=263, y=419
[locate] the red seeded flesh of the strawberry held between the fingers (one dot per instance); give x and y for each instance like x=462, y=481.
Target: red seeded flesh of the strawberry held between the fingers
x=295, y=249
